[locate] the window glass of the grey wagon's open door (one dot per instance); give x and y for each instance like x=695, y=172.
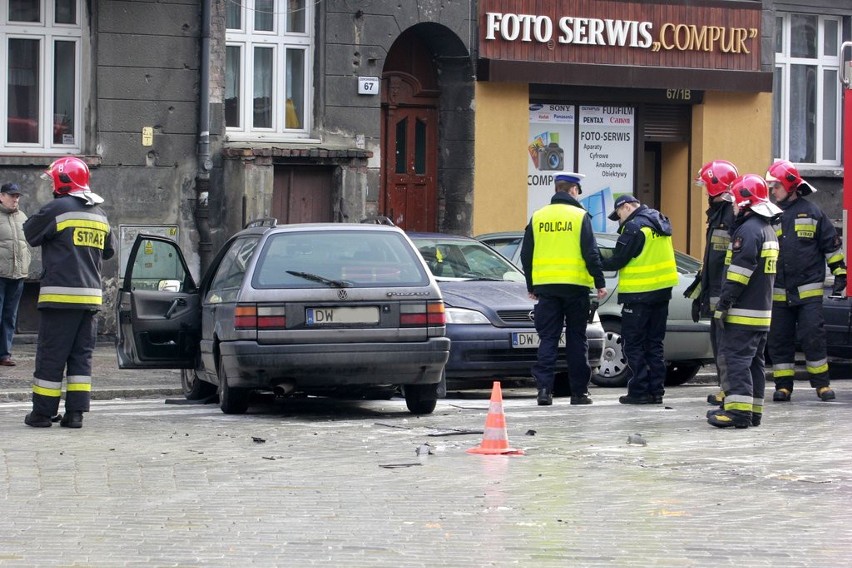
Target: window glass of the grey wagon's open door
x=158, y=266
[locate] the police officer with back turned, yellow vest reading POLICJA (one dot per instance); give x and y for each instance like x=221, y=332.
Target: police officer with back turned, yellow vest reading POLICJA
x=562, y=263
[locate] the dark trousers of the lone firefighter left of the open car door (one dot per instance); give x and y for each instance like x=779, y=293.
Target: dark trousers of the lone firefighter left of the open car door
x=66, y=340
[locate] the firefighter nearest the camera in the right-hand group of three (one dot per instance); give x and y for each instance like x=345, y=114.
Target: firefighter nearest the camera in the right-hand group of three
x=744, y=308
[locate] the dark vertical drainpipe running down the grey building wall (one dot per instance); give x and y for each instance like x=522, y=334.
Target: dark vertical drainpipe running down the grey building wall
x=205, y=164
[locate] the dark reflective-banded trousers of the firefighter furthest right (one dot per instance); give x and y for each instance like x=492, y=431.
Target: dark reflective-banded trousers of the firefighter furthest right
x=804, y=322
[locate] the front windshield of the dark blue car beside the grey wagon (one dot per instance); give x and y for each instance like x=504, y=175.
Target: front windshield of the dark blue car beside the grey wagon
x=465, y=259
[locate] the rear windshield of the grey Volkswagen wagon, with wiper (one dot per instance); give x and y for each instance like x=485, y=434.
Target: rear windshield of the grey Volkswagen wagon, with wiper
x=339, y=258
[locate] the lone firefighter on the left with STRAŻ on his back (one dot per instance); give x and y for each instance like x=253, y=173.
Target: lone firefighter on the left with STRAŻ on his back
x=74, y=236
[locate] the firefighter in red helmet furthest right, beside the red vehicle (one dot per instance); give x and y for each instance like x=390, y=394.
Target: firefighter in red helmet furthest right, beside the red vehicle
x=808, y=241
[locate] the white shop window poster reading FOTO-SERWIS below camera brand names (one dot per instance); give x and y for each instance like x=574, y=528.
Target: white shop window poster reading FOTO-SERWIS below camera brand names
x=605, y=142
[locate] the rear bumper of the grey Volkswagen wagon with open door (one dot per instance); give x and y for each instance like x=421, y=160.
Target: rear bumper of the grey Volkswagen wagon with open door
x=248, y=364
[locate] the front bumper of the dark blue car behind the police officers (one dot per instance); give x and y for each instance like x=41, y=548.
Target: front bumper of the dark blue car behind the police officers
x=487, y=352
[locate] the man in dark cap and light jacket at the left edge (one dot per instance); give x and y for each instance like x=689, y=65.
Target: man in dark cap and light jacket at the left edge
x=14, y=266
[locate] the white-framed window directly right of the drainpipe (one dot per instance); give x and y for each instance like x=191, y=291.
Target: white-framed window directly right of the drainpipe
x=268, y=58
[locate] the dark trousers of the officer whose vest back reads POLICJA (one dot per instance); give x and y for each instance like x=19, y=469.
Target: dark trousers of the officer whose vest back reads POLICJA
x=552, y=314
